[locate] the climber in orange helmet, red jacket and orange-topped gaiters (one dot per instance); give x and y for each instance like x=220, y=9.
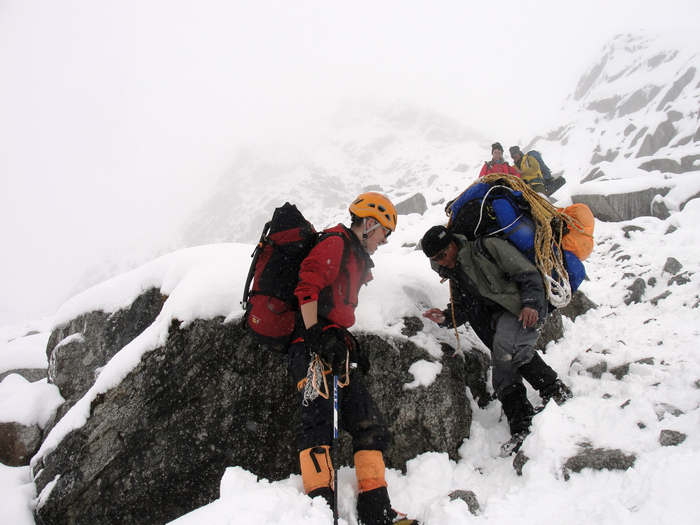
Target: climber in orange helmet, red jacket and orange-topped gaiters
x=330, y=279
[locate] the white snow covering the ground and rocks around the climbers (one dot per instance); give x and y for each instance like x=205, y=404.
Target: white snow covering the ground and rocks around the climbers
x=657, y=338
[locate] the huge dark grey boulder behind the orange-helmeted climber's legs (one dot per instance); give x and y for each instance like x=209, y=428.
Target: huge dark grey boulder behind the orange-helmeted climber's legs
x=155, y=446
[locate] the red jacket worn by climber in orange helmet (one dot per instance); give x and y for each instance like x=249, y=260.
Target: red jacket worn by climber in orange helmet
x=322, y=279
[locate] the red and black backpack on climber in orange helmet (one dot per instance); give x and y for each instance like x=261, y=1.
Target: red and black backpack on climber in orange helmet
x=270, y=303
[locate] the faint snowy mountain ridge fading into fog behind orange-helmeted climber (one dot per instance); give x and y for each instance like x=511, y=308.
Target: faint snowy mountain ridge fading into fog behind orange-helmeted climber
x=397, y=149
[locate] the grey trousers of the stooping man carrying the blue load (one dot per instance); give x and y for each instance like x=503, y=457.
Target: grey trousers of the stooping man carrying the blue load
x=513, y=346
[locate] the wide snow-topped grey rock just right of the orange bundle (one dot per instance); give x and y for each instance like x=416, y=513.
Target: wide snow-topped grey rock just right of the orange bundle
x=622, y=206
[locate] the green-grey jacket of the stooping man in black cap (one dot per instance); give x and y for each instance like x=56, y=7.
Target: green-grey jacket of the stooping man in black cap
x=498, y=271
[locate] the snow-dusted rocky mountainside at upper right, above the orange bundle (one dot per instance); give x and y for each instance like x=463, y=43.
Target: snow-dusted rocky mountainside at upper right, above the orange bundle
x=633, y=115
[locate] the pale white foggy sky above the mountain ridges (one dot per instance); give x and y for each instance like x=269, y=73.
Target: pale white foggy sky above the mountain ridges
x=115, y=116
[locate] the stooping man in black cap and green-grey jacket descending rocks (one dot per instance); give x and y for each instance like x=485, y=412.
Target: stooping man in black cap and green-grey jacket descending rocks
x=500, y=293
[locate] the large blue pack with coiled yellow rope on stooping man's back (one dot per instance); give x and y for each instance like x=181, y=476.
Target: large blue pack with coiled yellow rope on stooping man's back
x=506, y=207
